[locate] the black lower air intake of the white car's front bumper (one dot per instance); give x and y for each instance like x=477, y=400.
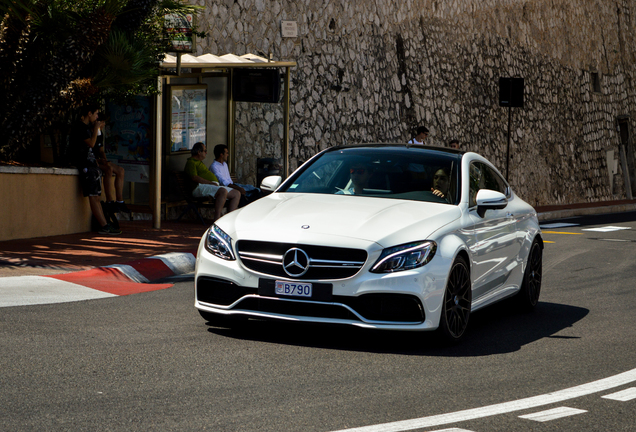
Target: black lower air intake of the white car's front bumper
x=400, y=308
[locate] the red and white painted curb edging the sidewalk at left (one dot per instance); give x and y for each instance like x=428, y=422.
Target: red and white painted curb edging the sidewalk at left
x=100, y=282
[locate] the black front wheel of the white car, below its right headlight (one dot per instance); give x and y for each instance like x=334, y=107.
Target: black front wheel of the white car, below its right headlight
x=457, y=302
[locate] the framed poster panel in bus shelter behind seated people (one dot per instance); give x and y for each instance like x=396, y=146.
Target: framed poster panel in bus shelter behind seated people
x=188, y=116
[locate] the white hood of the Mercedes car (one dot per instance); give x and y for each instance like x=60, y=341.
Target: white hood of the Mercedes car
x=332, y=219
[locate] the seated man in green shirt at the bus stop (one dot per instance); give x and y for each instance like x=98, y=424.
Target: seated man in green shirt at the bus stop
x=206, y=183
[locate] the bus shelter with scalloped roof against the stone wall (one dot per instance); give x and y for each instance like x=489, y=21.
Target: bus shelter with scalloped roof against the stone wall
x=197, y=102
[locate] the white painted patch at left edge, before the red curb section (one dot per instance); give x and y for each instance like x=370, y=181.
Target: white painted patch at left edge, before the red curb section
x=33, y=290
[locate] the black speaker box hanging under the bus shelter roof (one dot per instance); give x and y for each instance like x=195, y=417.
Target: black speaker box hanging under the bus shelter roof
x=256, y=85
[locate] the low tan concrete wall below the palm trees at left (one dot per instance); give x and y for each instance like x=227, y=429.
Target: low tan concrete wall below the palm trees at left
x=40, y=202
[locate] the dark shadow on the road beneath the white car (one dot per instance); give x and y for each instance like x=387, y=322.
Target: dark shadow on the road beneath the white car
x=494, y=330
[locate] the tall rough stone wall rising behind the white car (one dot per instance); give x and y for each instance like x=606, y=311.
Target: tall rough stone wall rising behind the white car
x=372, y=71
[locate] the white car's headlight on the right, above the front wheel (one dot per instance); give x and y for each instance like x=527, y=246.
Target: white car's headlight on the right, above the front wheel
x=405, y=257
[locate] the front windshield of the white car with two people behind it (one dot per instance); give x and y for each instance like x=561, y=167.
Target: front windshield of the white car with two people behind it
x=398, y=172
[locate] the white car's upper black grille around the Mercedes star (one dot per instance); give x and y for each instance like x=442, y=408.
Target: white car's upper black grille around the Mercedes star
x=325, y=263
